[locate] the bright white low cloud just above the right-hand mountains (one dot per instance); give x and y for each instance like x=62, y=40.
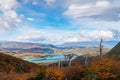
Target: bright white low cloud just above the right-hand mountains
x=93, y=35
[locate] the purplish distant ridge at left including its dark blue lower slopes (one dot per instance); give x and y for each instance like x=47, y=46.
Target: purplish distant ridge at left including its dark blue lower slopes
x=26, y=46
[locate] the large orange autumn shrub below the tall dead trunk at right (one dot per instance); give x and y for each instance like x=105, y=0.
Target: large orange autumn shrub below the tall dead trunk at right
x=103, y=68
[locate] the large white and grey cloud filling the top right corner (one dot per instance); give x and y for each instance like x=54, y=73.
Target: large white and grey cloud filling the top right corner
x=99, y=10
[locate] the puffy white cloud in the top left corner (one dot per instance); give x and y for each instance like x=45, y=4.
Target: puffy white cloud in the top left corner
x=8, y=16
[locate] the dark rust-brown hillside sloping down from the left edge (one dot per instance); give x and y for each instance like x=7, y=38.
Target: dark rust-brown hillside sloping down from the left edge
x=10, y=64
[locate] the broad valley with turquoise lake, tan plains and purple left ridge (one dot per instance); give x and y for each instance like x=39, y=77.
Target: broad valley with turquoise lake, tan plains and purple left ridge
x=47, y=53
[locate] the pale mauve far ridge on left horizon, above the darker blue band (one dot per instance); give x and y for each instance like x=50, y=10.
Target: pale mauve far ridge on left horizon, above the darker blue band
x=23, y=45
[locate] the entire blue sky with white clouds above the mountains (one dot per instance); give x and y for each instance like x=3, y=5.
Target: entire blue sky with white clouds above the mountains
x=59, y=21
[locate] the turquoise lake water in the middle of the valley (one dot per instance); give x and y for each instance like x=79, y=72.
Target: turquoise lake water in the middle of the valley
x=49, y=58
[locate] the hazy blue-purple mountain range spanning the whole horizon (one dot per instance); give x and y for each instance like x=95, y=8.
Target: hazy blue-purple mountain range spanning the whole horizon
x=49, y=48
